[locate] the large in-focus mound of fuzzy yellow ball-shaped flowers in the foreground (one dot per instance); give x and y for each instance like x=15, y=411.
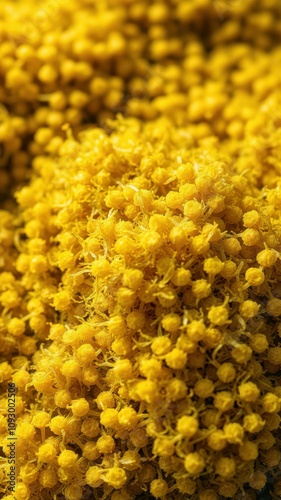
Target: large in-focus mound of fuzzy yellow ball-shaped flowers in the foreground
x=159, y=351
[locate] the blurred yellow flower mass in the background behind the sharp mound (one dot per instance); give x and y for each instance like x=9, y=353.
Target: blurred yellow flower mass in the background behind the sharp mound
x=79, y=61
